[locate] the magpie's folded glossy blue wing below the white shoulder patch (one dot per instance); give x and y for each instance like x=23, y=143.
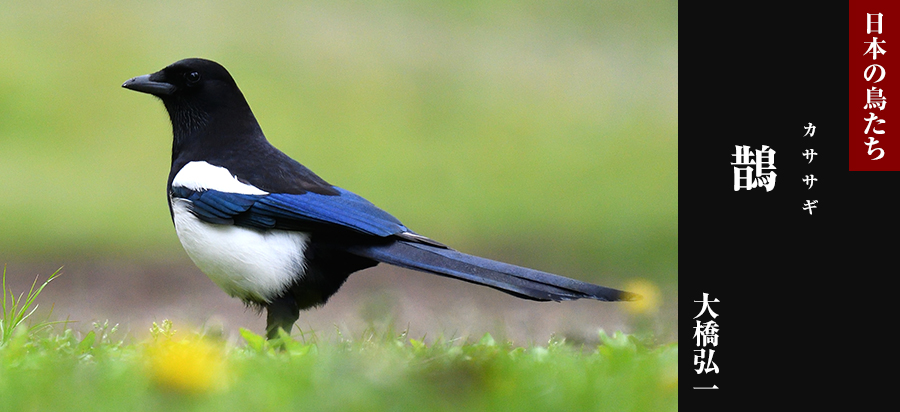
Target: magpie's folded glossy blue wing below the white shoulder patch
x=292, y=212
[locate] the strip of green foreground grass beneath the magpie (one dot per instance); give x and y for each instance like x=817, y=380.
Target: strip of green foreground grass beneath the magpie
x=44, y=369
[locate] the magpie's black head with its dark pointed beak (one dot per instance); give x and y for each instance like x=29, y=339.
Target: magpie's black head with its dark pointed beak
x=196, y=93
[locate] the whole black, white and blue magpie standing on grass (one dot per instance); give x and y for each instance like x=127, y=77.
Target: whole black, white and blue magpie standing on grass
x=269, y=231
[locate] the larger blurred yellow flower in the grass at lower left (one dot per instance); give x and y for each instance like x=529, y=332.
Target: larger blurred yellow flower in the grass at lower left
x=189, y=366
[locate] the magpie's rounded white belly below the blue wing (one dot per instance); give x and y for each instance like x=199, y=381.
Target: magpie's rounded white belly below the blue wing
x=246, y=263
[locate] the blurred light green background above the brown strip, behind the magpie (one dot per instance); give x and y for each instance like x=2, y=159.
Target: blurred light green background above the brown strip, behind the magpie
x=542, y=132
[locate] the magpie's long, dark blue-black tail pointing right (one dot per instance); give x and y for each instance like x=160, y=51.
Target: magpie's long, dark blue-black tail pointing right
x=515, y=280
